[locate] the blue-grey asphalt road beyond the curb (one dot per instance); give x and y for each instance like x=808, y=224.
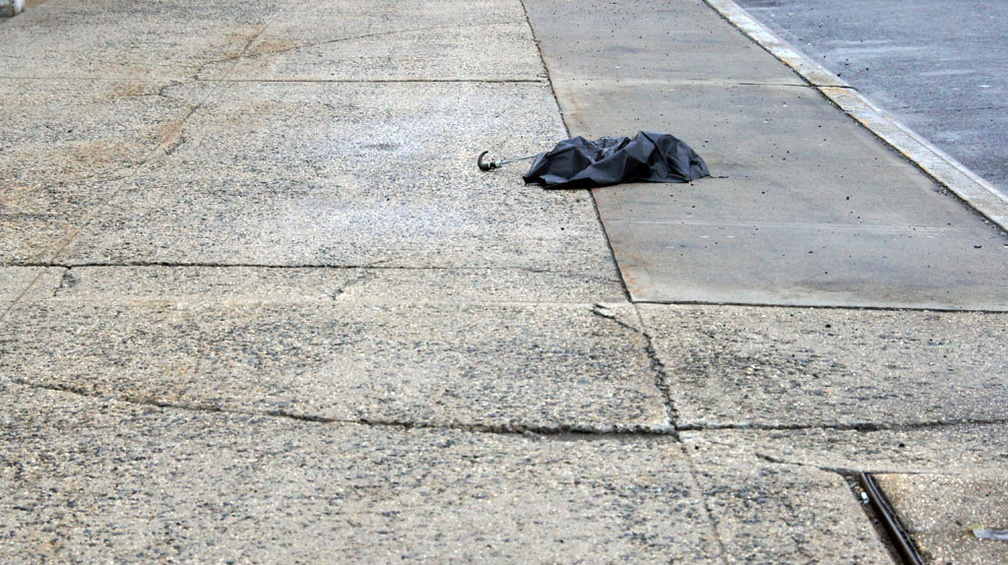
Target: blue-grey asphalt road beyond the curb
x=939, y=66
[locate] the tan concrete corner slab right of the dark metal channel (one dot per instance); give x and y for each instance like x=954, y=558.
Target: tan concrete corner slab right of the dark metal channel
x=941, y=512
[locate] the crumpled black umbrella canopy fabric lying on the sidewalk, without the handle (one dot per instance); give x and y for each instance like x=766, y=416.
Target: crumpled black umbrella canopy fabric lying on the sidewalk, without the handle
x=648, y=158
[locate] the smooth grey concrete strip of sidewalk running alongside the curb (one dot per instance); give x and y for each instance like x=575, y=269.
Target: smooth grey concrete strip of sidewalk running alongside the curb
x=809, y=209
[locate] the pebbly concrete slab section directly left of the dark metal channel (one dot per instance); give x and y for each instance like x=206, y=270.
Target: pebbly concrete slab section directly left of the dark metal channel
x=770, y=513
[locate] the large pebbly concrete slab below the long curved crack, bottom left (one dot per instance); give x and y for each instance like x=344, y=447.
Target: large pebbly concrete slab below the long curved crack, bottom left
x=97, y=479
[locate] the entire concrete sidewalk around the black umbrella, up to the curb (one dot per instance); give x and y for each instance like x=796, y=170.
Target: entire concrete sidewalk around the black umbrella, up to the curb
x=258, y=304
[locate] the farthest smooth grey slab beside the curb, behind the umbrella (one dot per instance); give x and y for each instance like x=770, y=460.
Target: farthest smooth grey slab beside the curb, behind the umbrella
x=678, y=42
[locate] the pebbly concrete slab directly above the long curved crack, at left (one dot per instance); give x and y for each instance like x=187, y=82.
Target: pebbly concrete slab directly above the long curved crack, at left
x=511, y=367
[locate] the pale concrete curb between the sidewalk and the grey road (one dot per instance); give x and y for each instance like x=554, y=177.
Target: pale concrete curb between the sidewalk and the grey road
x=977, y=193
